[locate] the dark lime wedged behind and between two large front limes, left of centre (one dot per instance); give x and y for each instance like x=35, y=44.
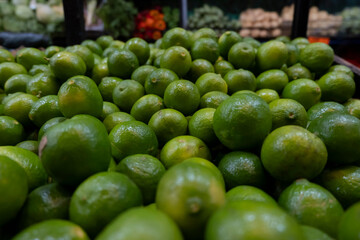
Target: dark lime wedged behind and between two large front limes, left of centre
x=145, y=171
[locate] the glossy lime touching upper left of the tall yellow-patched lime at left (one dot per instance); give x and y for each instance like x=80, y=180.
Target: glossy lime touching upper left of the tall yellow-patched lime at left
x=42, y=84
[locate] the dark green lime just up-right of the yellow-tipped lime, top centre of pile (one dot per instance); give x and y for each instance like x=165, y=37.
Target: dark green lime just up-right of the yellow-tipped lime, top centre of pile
x=205, y=48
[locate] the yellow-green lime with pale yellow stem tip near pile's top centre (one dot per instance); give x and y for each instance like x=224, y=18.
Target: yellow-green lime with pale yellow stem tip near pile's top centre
x=177, y=59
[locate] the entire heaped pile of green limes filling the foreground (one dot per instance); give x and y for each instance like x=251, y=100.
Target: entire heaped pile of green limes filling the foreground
x=193, y=137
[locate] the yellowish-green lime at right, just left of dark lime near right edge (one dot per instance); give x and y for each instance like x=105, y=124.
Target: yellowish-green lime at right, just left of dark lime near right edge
x=305, y=91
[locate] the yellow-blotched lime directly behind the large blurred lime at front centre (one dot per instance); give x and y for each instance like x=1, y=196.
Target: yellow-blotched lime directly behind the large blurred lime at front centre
x=181, y=148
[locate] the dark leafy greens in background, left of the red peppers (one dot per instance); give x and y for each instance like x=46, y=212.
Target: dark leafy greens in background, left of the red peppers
x=118, y=17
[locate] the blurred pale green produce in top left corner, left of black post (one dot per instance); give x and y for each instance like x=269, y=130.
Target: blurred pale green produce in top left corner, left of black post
x=41, y=16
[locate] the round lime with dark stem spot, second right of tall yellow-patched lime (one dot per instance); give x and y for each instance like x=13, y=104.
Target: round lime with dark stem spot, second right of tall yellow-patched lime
x=126, y=93
